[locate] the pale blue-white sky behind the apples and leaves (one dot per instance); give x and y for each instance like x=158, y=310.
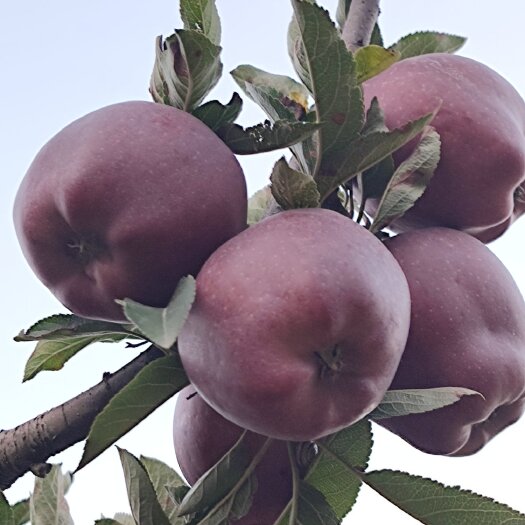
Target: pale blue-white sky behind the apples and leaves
x=61, y=59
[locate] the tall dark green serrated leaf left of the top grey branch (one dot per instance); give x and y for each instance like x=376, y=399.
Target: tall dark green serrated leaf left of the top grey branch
x=328, y=70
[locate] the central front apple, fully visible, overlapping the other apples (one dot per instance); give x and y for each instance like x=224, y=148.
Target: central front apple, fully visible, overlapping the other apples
x=298, y=325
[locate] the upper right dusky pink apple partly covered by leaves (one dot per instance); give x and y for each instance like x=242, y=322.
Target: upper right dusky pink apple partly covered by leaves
x=478, y=186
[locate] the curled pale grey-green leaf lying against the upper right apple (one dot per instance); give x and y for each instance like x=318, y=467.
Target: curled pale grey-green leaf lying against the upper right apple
x=409, y=180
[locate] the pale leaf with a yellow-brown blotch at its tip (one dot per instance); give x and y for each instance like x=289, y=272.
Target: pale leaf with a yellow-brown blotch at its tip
x=279, y=96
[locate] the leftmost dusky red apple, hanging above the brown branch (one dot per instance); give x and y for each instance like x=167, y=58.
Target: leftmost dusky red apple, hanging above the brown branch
x=124, y=202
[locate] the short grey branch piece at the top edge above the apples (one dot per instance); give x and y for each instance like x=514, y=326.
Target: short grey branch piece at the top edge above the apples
x=360, y=21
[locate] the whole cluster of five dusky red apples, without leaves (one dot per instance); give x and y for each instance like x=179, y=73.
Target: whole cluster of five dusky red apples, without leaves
x=303, y=321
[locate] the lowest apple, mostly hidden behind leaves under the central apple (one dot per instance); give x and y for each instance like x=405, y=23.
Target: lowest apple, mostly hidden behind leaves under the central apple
x=201, y=437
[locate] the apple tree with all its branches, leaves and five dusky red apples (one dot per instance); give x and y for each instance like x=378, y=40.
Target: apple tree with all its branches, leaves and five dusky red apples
x=355, y=287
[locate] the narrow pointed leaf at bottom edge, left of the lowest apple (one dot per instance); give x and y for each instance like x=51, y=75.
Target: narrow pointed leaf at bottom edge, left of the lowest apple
x=143, y=501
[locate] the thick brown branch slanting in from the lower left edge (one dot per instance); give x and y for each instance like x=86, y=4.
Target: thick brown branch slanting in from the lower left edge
x=28, y=446
